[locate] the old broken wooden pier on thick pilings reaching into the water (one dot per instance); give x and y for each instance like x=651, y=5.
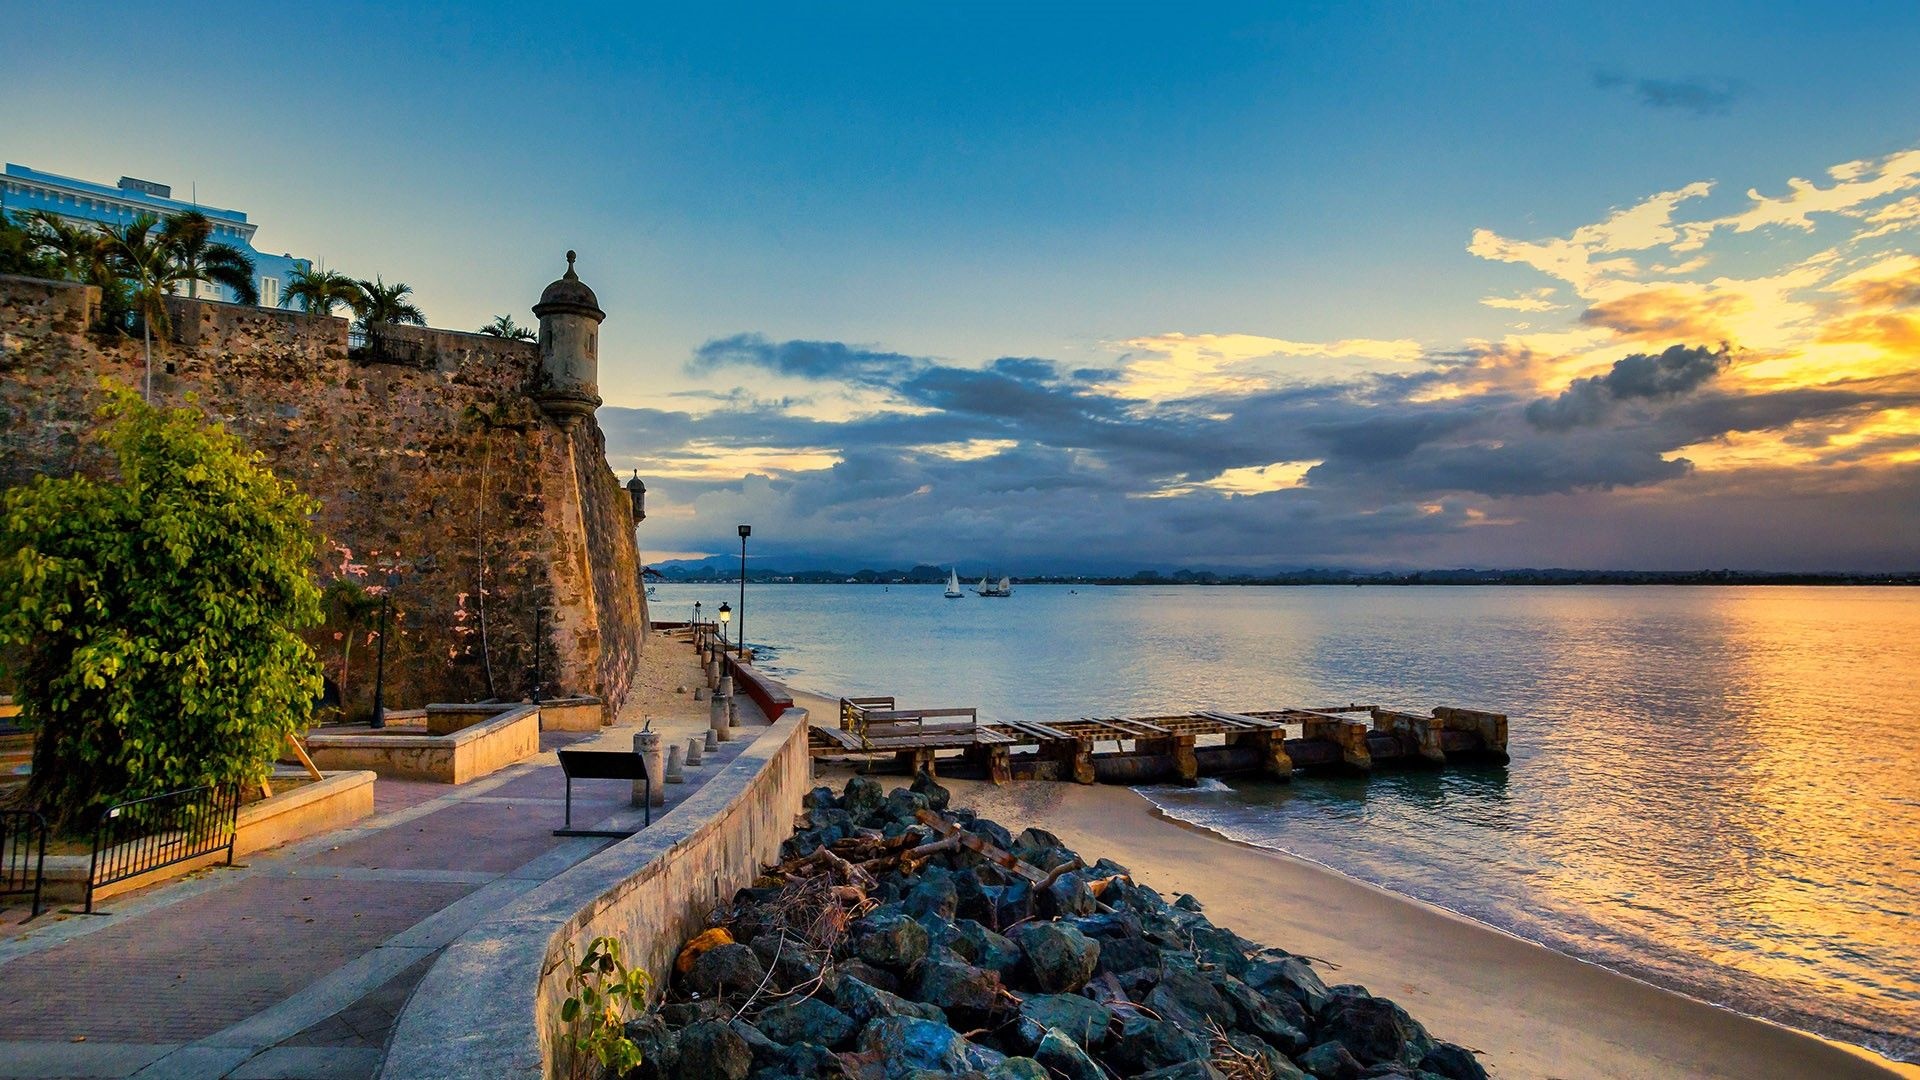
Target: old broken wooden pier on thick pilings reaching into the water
x=1182, y=749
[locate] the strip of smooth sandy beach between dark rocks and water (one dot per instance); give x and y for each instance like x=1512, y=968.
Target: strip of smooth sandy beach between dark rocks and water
x=1527, y=1010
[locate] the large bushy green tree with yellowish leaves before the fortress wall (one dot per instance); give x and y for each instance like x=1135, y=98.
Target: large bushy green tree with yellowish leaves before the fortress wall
x=151, y=620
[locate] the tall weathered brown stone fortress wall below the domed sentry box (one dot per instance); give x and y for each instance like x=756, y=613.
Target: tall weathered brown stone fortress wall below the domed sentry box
x=437, y=462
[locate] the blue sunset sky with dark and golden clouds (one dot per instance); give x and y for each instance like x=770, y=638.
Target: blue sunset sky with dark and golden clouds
x=1053, y=287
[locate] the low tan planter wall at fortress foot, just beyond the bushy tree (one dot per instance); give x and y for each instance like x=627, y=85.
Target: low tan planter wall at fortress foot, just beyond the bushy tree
x=468, y=754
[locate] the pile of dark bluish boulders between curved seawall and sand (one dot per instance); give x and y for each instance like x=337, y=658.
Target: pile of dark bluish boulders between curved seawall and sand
x=905, y=939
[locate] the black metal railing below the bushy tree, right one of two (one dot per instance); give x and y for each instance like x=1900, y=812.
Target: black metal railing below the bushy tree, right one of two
x=145, y=835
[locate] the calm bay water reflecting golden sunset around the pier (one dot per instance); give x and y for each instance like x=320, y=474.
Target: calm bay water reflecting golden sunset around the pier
x=1712, y=789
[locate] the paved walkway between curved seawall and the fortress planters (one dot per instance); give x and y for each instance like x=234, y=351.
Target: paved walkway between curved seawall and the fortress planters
x=297, y=964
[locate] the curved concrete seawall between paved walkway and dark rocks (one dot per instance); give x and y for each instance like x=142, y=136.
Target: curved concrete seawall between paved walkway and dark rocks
x=491, y=1004
